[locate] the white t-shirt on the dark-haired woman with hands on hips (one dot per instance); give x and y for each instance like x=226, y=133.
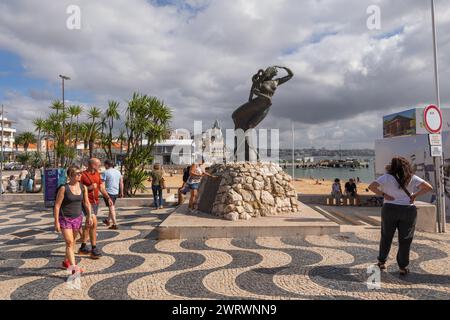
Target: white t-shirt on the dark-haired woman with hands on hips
x=390, y=186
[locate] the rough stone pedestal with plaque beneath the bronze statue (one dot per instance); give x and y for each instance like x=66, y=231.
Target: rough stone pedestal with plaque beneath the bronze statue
x=248, y=190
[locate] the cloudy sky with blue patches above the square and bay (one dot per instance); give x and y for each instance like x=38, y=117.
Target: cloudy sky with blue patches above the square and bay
x=199, y=56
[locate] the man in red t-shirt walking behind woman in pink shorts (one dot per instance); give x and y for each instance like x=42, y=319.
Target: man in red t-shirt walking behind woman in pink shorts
x=92, y=180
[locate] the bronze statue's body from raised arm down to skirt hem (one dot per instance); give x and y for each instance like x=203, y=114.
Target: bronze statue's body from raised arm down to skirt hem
x=251, y=114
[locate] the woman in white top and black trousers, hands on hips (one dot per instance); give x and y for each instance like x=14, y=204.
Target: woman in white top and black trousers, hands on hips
x=399, y=187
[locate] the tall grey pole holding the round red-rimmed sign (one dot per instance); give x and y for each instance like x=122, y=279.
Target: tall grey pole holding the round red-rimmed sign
x=438, y=163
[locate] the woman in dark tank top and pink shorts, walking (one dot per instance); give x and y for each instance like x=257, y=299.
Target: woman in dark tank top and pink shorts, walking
x=68, y=213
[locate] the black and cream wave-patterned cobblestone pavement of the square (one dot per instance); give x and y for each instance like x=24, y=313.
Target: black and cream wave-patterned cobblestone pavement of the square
x=136, y=266
